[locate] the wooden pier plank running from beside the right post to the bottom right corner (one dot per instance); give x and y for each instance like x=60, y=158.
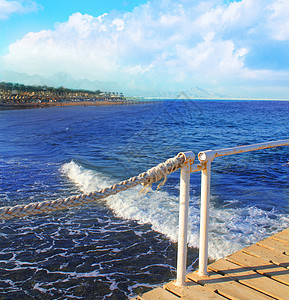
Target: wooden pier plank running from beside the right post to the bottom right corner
x=251, y=279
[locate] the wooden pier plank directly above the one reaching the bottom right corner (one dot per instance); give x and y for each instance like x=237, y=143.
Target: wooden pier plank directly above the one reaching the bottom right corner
x=260, y=265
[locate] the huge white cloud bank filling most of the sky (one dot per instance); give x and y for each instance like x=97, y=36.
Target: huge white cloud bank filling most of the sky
x=163, y=44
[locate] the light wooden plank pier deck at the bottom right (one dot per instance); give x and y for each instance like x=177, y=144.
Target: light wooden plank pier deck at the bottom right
x=260, y=271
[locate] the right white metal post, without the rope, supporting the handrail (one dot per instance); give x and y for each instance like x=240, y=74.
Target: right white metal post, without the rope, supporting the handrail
x=204, y=224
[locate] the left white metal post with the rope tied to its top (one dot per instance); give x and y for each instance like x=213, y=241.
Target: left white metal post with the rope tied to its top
x=183, y=219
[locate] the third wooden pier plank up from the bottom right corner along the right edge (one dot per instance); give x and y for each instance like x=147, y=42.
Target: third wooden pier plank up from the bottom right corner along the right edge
x=267, y=254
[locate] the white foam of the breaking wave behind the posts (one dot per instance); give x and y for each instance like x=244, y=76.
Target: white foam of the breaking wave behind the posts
x=230, y=228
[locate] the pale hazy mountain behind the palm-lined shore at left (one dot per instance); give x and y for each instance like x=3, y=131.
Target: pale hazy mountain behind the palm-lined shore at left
x=57, y=80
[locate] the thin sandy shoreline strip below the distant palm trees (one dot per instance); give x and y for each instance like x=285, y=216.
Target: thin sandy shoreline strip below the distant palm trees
x=68, y=103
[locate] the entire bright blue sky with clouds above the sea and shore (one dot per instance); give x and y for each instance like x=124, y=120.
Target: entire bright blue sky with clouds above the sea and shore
x=156, y=48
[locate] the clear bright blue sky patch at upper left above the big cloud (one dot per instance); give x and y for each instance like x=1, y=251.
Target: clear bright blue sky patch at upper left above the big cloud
x=32, y=16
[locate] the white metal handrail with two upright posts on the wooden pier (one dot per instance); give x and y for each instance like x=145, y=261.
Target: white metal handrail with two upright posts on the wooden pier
x=205, y=158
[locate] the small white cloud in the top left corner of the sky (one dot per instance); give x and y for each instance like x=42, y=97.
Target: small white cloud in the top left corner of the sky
x=8, y=8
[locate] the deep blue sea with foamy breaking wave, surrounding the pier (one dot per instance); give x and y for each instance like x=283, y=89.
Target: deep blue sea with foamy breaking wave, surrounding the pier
x=125, y=245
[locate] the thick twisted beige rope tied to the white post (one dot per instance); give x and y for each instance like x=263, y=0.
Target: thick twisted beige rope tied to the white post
x=146, y=179
